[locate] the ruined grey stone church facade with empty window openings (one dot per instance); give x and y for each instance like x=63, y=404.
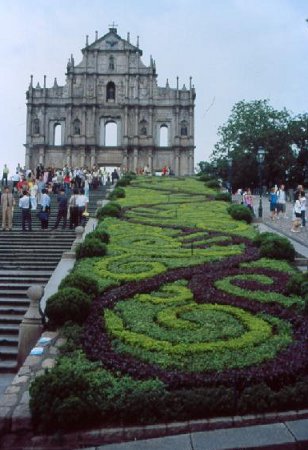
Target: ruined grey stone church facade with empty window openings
x=111, y=113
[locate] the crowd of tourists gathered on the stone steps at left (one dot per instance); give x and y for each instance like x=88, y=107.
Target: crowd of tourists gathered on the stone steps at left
x=33, y=191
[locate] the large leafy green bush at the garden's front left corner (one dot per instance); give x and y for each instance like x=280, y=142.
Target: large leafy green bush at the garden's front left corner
x=78, y=393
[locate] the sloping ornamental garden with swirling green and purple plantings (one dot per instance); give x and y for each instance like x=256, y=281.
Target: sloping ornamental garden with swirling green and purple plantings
x=175, y=310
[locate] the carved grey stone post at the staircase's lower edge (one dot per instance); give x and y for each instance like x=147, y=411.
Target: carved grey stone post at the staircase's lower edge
x=31, y=326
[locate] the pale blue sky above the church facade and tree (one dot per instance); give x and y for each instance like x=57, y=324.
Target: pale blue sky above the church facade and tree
x=233, y=49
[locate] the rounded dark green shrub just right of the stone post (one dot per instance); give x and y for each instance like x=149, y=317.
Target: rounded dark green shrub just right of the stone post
x=68, y=304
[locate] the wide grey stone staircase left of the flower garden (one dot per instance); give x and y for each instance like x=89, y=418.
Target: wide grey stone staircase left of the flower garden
x=28, y=258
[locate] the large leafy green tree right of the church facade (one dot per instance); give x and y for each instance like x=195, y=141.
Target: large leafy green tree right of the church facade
x=254, y=124
